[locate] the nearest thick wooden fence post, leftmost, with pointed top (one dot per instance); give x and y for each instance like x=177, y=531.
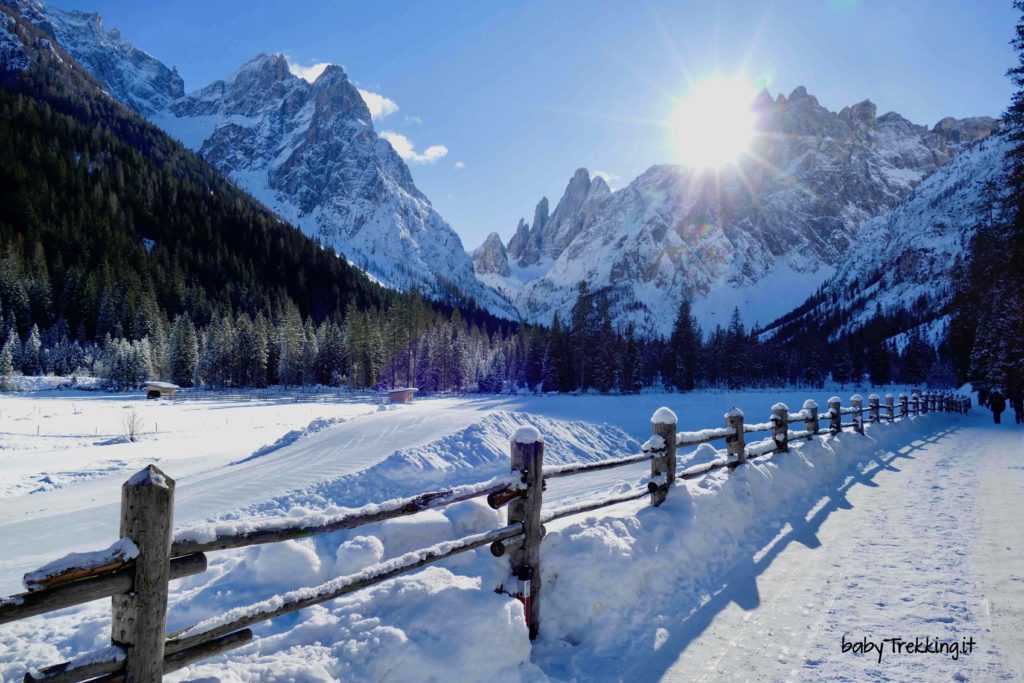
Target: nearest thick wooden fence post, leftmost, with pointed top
x=140, y=622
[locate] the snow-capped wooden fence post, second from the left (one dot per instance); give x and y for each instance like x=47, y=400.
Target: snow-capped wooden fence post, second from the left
x=528, y=460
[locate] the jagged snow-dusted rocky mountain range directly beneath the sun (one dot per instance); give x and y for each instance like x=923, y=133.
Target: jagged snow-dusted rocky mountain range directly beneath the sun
x=763, y=235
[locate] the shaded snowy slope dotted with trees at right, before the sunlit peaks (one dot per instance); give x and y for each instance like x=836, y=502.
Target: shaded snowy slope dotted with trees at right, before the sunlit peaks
x=903, y=261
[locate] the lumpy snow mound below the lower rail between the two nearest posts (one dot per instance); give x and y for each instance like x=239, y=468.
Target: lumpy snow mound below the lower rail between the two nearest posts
x=432, y=626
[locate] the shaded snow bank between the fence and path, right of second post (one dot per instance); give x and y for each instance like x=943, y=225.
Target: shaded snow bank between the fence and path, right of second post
x=638, y=572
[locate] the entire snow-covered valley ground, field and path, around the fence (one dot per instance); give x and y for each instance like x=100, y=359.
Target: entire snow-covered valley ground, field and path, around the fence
x=758, y=575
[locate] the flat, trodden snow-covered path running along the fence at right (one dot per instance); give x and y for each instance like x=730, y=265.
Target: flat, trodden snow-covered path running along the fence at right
x=929, y=544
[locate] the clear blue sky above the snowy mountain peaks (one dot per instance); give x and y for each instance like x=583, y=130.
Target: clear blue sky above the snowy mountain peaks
x=524, y=94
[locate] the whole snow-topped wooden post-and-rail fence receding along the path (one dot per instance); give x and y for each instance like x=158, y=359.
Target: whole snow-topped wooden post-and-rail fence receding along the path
x=137, y=571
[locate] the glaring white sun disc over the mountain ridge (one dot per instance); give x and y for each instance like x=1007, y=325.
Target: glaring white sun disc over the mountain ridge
x=714, y=124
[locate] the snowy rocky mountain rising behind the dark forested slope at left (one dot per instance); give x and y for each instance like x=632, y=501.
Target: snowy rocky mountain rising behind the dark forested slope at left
x=309, y=151
